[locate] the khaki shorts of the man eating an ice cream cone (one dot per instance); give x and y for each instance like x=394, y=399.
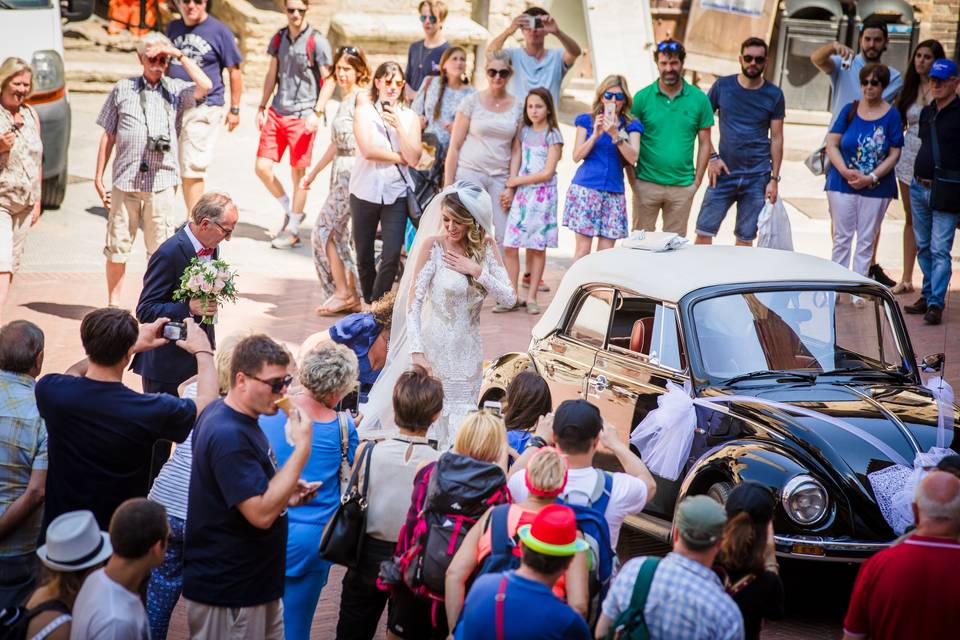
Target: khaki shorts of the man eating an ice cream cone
x=262, y=622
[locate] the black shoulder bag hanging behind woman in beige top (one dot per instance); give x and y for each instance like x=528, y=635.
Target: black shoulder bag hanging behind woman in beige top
x=342, y=539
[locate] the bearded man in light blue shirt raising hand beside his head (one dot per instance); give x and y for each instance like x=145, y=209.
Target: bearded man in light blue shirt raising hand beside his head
x=843, y=66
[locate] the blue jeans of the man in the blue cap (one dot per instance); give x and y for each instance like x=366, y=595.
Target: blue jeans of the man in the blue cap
x=934, y=231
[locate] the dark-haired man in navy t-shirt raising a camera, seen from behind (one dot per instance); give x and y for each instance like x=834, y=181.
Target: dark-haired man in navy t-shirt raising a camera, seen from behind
x=100, y=433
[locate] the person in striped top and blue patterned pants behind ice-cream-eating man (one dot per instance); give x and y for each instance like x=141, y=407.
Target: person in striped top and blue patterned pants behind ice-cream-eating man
x=171, y=489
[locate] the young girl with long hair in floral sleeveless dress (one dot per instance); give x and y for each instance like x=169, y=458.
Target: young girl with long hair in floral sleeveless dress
x=532, y=221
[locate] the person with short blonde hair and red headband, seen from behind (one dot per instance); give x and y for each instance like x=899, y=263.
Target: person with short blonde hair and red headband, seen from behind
x=492, y=544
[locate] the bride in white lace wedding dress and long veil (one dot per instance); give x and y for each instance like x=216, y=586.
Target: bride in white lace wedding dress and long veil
x=453, y=265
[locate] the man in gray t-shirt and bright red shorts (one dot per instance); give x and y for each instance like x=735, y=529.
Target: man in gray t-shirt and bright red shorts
x=300, y=59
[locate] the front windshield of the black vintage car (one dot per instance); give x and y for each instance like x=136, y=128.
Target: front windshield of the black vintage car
x=817, y=332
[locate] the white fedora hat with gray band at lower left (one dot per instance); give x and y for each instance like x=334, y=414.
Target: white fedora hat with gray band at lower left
x=75, y=542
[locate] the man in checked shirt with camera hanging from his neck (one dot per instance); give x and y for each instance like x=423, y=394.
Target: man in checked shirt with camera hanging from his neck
x=141, y=118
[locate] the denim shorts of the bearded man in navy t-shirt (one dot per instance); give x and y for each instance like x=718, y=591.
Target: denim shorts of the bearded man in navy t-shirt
x=747, y=191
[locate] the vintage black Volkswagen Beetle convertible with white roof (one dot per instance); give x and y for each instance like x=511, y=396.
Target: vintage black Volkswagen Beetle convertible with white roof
x=779, y=327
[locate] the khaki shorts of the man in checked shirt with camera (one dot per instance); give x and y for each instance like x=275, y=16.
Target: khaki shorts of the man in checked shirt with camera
x=131, y=210
